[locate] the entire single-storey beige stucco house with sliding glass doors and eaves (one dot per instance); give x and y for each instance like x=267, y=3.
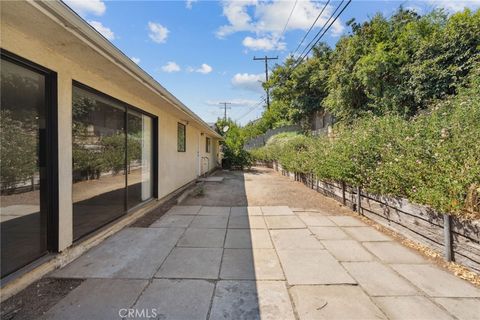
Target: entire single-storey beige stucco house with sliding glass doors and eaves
x=88, y=138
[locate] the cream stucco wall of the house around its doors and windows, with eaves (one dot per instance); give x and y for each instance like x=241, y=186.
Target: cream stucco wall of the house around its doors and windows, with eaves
x=32, y=36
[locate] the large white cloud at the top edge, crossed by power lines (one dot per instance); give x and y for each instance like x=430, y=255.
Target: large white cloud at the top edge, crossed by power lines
x=267, y=18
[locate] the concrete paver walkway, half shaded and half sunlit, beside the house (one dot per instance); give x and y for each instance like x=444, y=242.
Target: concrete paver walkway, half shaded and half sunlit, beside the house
x=260, y=262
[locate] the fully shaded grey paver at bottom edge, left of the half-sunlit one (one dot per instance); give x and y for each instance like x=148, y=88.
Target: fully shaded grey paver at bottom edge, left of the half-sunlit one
x=177, y=299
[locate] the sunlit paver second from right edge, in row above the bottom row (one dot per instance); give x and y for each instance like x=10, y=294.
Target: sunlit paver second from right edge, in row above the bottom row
x=379, y=280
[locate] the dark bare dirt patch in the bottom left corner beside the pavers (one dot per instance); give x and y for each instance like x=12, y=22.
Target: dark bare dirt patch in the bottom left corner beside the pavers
x=37, y=298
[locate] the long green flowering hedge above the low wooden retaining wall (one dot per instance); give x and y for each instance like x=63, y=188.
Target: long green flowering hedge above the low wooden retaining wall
x=432, y=159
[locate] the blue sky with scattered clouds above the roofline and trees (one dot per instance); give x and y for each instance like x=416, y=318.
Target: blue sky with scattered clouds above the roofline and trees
x=201, y=51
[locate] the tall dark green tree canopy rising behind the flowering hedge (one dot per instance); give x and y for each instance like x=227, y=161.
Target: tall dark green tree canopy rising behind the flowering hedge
x=384, y=66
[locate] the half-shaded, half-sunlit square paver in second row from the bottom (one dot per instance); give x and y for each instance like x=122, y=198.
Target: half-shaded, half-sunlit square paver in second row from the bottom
x=248, y=264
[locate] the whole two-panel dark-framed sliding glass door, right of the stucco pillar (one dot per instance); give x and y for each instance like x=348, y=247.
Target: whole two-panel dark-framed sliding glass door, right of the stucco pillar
x=112, y=159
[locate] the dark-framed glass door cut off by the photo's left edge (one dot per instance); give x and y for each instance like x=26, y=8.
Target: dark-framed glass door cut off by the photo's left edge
x=24, y=206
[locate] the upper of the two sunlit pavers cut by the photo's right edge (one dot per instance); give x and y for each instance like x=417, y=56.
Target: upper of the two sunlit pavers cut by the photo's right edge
x=436, y=282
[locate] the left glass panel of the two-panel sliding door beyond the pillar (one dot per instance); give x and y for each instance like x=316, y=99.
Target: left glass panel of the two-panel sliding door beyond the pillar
x=98, y=161
